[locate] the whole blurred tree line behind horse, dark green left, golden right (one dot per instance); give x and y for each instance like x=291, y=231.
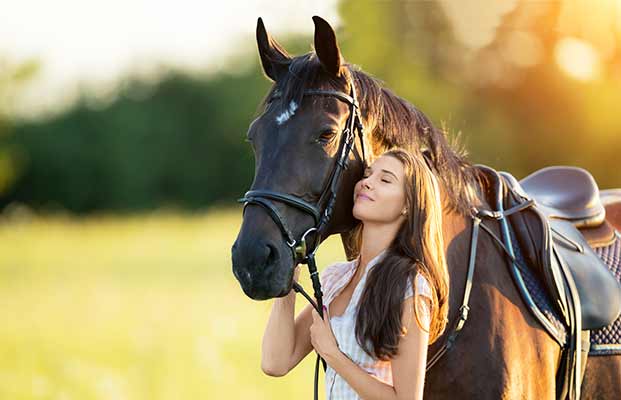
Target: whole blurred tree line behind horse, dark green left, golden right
x=524, y=85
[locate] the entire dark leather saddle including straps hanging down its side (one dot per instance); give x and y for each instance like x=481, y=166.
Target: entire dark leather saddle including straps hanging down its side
x=543, y=213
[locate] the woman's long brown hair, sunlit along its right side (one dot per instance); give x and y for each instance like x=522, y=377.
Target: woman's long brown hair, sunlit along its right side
x=417, y=247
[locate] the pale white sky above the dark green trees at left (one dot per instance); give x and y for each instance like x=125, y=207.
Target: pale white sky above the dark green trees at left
x=90, y=44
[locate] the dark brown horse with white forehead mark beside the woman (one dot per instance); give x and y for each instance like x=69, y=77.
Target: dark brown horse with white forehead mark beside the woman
x=502, y=351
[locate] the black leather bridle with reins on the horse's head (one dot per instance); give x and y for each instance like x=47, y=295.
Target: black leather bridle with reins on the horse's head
x=301, y=252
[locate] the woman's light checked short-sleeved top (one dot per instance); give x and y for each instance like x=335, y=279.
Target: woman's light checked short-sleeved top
x=333, y=279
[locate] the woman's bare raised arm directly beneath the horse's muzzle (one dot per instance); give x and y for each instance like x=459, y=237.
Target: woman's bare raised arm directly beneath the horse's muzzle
x=285, y=341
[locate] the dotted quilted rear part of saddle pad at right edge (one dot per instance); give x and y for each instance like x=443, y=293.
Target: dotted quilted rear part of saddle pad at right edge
x=607, y=341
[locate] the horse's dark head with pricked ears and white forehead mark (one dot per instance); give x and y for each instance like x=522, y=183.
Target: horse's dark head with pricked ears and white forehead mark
x=296, y=141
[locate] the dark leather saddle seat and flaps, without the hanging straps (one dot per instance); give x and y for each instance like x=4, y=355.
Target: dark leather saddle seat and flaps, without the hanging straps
x=568, y=209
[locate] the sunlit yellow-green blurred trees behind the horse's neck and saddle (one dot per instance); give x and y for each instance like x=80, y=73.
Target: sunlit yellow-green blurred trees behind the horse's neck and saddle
x=495, y=71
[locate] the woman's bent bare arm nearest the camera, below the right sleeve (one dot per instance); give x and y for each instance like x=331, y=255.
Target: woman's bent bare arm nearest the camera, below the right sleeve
x=408, y=366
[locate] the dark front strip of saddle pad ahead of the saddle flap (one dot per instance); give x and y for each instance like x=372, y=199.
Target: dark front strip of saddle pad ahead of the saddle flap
x=539, y=296
